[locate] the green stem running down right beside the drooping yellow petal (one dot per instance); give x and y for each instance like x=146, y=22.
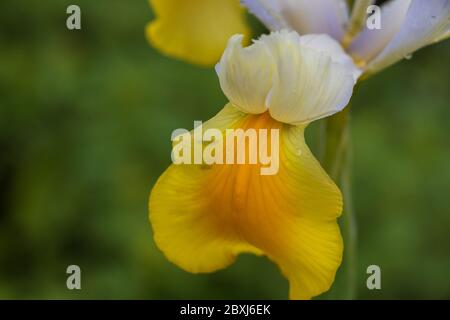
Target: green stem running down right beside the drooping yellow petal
x=337, y=162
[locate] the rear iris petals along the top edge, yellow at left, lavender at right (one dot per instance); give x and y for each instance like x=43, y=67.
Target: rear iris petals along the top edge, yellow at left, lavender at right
x=197, y=30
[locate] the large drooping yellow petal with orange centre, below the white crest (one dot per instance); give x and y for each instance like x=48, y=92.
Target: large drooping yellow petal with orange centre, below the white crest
x=204, y=216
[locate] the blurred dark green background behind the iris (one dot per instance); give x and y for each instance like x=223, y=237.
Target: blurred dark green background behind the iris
x=85, y=124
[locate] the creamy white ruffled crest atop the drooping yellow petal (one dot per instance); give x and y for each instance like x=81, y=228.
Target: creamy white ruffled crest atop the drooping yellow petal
x=299, y=79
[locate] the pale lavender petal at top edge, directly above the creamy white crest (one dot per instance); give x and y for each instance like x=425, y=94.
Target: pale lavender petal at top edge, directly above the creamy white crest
x=303, y=16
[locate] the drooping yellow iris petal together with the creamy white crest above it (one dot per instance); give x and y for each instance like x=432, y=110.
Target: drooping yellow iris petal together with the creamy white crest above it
x=203, y=216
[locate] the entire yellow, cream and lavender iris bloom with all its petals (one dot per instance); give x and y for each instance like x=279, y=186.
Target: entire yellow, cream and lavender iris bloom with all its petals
x=204, y=215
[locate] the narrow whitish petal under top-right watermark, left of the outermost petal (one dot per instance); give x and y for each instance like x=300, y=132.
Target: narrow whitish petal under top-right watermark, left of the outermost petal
x=369, y=43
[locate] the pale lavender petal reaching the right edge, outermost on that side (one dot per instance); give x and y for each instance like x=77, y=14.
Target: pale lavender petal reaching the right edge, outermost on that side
x=426, y=22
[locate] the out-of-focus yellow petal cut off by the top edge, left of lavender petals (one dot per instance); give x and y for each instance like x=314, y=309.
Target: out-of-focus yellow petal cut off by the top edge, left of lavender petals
x=196, y=30
